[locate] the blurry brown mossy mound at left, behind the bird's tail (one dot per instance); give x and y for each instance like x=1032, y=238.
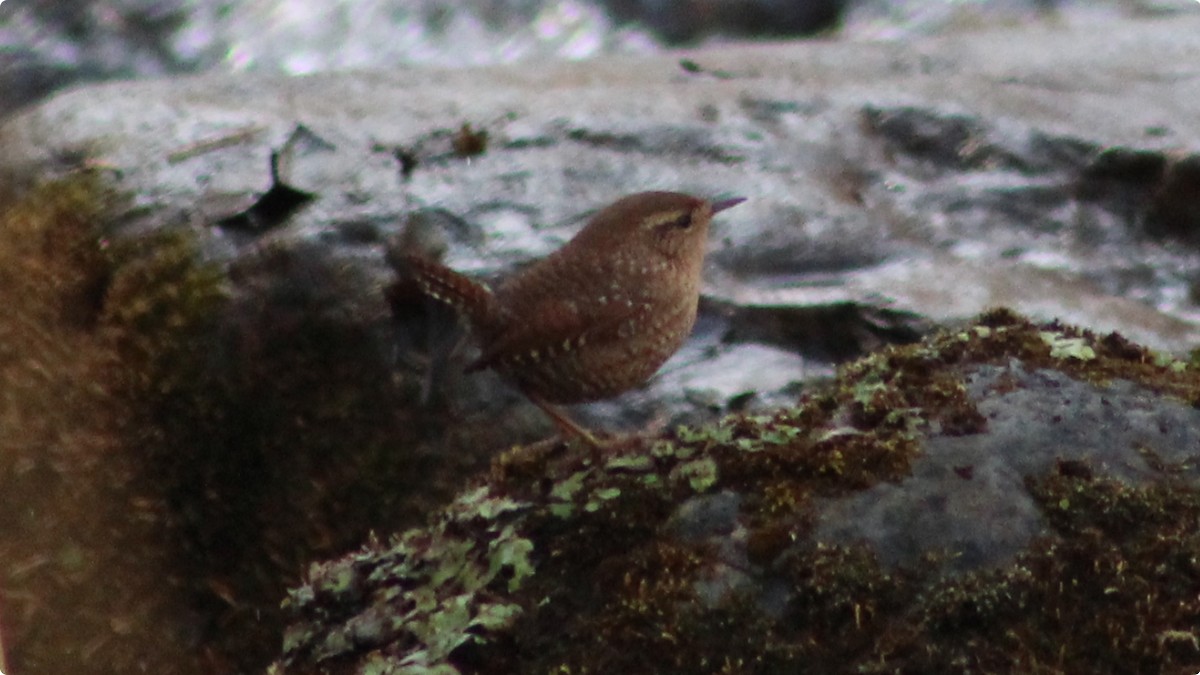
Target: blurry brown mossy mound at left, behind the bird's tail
x=183, y=433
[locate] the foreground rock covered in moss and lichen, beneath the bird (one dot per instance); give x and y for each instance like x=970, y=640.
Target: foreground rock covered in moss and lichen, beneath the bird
x=1001, y=495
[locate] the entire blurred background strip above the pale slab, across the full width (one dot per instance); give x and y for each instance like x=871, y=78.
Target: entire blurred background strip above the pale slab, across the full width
x=46, y=45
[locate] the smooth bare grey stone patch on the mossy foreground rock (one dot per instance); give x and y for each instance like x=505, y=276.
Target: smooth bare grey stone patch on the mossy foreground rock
x=968, y=493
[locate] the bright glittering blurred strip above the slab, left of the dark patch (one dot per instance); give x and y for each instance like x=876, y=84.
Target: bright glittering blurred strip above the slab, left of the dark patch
x=45, y=47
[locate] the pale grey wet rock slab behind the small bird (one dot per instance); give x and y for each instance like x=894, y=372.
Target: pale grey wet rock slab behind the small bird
x=928, y=182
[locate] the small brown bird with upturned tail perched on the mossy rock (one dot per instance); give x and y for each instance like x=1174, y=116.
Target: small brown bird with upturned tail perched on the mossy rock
x=596, y=318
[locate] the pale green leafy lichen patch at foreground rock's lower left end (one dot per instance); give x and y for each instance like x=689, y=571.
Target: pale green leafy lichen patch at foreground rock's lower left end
x=446, y=589
